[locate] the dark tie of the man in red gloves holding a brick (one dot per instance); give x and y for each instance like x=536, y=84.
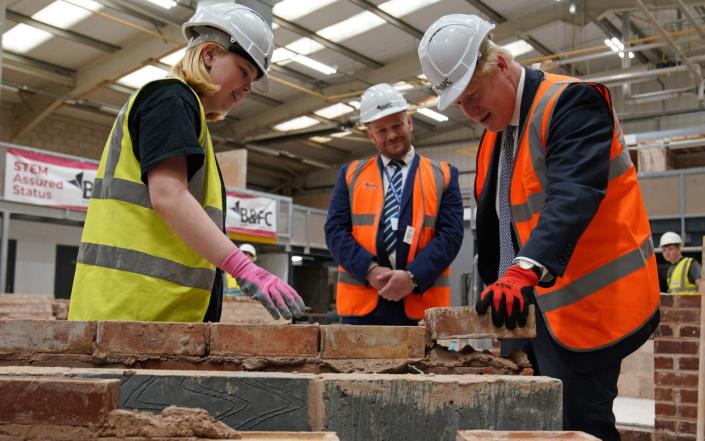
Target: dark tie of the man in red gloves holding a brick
x=506, y=245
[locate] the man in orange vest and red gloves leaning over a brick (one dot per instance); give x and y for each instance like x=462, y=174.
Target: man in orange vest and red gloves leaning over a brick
x=559, y=215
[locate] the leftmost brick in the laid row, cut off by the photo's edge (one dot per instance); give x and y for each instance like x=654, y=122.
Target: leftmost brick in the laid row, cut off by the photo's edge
x=46, y=336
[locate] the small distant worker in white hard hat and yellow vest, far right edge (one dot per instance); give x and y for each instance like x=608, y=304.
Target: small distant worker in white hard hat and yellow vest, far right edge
x=684, y=274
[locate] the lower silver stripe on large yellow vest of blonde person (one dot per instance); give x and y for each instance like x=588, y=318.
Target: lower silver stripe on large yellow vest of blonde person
x=141, y=263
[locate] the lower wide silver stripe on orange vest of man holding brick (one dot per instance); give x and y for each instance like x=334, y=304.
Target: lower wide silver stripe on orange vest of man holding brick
x=597, y=279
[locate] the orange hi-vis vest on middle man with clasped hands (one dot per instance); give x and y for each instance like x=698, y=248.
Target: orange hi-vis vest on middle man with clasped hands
x=366, y=190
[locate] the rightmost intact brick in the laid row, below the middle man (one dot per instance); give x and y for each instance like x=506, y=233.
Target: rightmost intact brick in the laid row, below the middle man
x=359, y=342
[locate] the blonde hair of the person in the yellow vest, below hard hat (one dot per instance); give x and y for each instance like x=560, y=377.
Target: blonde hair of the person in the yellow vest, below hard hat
x=192, y=69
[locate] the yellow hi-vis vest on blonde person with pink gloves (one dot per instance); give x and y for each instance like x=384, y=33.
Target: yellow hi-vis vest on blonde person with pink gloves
x=131, y=265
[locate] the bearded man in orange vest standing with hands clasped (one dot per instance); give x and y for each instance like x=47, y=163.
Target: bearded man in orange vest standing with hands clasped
x=395, y=222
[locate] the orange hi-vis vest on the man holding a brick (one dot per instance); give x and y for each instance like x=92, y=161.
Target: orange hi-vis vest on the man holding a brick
x=610, y=285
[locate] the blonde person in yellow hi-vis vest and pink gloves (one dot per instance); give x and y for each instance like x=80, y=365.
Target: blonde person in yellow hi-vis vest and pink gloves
x=153, y=244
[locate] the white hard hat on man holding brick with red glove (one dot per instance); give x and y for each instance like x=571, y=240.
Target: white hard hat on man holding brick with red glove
x=448, y=53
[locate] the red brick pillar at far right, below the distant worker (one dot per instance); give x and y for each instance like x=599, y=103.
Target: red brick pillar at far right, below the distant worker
x=676, y=368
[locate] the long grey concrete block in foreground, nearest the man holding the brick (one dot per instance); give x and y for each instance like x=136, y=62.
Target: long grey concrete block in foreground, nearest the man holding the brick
x=393, y=407
